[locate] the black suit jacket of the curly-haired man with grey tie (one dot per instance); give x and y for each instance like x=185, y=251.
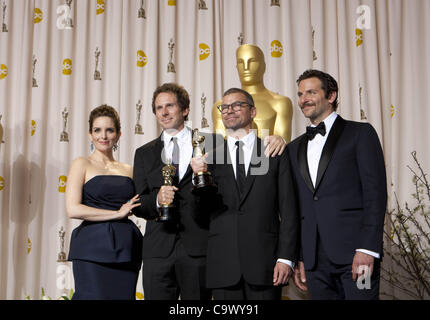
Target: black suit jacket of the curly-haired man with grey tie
x=159, y=237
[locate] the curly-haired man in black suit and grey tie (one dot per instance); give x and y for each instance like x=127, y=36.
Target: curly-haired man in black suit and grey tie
x=174, y=253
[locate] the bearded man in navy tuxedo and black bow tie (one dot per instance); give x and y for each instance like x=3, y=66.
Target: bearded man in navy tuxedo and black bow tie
x=340, y=178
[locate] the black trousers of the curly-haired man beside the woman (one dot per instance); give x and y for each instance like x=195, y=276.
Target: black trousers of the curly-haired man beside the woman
x=178, y=275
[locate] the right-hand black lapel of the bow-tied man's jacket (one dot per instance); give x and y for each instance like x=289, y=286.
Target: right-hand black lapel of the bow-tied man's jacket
x=329, y=148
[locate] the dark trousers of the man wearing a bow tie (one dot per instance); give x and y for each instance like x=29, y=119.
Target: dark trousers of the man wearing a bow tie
x=329, y=281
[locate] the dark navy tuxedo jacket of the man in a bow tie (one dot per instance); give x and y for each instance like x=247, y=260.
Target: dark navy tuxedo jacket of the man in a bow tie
x=347, y=205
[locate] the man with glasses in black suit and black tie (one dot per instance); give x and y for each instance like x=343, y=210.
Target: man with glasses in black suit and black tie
x=253, y=228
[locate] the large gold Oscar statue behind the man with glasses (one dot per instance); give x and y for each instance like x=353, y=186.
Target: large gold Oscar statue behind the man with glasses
x=274, y=112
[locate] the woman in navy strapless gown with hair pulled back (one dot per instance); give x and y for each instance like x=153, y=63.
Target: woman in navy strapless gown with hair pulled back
x=106, y=248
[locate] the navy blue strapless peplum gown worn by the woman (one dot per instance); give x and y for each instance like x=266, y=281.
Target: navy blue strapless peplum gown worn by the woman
x=106, y=255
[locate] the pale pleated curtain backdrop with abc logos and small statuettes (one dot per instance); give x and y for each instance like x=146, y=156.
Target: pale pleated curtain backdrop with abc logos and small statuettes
x=61, y=58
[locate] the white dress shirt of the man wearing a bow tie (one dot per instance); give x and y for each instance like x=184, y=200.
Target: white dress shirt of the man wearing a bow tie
x=315, y=147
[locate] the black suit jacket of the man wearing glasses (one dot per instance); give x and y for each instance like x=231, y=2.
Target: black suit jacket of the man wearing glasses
x=249, y=232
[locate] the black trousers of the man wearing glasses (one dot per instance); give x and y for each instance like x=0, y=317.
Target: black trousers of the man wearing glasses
x=246, y=291
